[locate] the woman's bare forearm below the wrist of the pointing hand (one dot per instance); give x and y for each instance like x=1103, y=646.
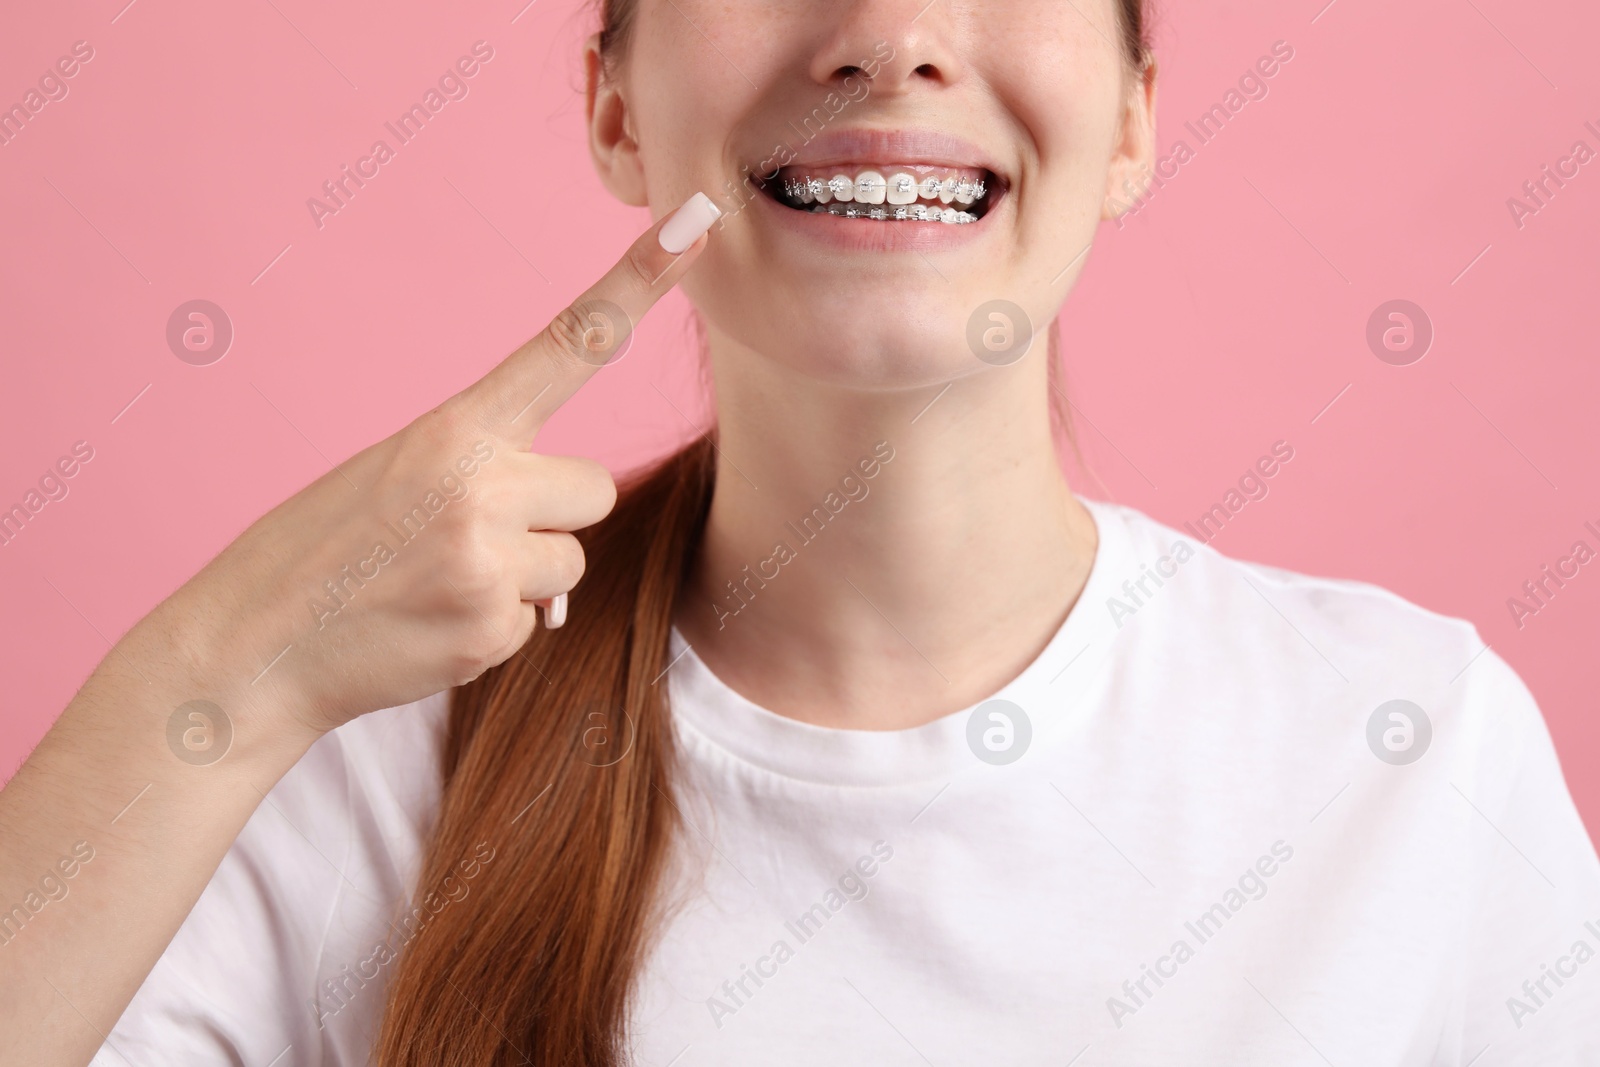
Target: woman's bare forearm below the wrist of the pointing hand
x=114, y=826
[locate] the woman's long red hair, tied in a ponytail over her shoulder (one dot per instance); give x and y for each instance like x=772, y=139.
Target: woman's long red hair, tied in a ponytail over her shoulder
x=561, y=762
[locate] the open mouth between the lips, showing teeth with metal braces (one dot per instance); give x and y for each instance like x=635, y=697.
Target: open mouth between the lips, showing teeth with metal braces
x=889, y=193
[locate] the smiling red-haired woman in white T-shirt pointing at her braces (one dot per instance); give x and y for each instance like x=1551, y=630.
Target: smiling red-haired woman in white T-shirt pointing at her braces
x=863, y=738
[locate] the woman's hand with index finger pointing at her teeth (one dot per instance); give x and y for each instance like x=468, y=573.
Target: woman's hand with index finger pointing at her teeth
x=418, y=564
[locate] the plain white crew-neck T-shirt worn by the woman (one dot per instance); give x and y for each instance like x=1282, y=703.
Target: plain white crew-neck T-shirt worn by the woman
x=1218, y=844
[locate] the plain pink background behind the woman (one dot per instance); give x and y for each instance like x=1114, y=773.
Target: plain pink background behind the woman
x=1226, y=316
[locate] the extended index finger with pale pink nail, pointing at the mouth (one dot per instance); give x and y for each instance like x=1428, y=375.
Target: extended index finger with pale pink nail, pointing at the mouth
x=540, y=377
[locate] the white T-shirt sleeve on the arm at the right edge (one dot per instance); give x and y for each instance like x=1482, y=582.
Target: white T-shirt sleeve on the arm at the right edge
x=1534, y=964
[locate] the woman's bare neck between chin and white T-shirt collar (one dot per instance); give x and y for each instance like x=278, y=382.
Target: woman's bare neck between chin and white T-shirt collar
x=878, y=561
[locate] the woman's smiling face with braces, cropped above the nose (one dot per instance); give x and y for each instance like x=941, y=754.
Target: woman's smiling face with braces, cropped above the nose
x=874, y=106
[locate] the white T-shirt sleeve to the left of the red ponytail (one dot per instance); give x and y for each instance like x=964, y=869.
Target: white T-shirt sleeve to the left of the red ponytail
x=278, y=964
